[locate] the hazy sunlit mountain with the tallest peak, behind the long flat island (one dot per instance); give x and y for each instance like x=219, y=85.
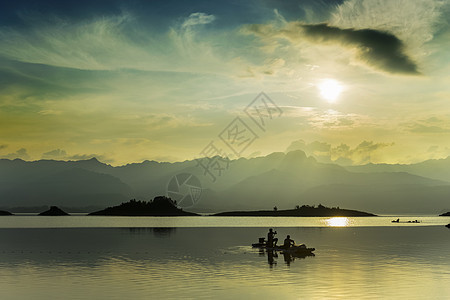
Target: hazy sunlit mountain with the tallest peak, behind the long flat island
x=298, y=179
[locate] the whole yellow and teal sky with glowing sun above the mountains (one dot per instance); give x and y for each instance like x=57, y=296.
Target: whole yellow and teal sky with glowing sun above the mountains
x=350, y=82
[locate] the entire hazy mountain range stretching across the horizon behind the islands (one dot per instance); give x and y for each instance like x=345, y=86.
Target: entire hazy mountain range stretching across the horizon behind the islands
x=279, y=179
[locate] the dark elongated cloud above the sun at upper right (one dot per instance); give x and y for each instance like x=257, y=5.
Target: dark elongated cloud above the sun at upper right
x=379, y=49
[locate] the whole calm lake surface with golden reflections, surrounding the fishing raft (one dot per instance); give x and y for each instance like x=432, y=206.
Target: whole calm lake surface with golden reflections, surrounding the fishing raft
x=200, y=261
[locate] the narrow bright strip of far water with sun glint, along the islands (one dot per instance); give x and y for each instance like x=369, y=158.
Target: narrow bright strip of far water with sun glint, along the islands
x=33, y=221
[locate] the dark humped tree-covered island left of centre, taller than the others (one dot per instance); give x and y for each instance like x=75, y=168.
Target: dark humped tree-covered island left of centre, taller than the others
x=159, y=207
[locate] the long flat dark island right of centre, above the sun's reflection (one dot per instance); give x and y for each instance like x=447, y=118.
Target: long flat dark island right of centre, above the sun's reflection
x=299, y=211
